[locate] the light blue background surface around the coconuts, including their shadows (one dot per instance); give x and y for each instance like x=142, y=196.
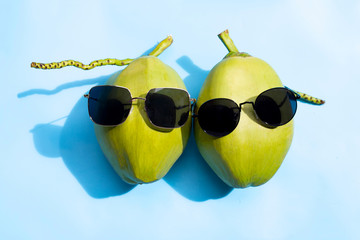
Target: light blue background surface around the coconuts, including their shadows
x=55, y=182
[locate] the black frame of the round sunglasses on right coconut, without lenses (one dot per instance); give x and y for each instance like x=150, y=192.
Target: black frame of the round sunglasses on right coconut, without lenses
x=239, y=106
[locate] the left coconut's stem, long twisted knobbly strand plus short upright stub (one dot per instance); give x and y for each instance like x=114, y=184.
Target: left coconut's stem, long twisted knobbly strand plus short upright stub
x=102, y=62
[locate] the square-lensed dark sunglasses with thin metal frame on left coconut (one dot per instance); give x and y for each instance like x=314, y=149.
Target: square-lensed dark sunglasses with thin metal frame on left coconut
x=110, y=105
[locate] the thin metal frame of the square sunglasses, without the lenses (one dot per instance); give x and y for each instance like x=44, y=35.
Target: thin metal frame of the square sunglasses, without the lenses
x=191, y=103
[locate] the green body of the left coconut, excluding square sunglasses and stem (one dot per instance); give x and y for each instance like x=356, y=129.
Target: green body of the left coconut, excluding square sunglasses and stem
x=138, y=151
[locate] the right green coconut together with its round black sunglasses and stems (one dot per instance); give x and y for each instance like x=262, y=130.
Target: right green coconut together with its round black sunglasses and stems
x=244, y=118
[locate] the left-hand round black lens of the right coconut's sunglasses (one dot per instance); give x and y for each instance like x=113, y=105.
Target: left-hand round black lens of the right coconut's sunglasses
x=219, y=117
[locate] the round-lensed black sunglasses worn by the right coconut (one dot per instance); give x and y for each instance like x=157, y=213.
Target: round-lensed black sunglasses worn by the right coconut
x=274, y=107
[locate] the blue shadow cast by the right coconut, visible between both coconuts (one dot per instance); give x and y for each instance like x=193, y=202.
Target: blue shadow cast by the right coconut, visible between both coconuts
x=191, y=176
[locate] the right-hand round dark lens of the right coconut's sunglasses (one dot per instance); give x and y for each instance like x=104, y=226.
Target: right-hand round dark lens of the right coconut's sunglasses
x=276, y=106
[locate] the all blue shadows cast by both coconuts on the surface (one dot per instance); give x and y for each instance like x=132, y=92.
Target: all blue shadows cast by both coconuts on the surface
x=76, y=143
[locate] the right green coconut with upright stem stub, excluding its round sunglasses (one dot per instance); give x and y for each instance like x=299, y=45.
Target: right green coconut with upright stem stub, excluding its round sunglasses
x=253, y=152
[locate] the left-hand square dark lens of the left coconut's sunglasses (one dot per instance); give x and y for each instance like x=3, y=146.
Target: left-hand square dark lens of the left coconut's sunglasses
x=109, y=105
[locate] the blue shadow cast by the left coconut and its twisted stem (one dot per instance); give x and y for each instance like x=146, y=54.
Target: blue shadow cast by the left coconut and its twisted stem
x=76, y=143
